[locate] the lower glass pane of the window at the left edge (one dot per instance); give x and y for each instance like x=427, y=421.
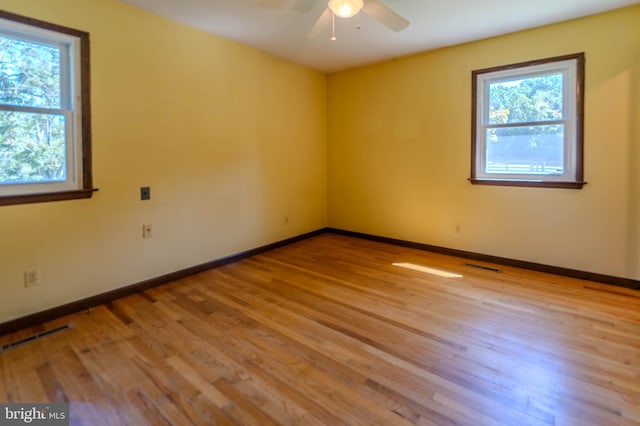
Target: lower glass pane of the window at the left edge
x=32, y=147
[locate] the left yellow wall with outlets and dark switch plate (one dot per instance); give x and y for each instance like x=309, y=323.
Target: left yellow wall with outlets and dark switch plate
x=231, y=141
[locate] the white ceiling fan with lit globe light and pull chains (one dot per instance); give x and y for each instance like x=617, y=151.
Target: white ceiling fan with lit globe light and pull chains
x=345, y=9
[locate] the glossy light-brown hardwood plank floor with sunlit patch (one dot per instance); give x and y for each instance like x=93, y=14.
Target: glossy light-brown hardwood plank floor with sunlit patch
x=327, y=331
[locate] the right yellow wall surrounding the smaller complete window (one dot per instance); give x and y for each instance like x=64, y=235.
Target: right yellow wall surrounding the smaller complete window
x=399, y=152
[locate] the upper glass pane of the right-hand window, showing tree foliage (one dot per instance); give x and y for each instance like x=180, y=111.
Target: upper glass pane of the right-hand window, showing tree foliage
x=526, y=100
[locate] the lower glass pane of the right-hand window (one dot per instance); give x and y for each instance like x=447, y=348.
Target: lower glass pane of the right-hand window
x=531, y=150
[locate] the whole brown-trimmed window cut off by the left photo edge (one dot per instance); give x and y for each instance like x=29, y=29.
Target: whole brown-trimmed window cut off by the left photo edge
x=45, y=129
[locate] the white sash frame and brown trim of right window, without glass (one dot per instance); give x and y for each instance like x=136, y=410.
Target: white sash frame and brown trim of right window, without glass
x=572, y=68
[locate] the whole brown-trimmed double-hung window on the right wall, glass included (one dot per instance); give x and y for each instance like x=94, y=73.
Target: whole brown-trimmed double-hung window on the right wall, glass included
x=527, y=123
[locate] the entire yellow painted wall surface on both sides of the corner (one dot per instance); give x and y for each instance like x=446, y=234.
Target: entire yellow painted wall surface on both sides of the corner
x=232, y=141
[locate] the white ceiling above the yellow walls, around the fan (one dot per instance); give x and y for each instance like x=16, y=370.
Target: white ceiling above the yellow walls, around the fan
x=434, y=23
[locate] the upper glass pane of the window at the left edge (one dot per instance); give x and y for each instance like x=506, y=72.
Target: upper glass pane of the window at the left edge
x=29, y=73
